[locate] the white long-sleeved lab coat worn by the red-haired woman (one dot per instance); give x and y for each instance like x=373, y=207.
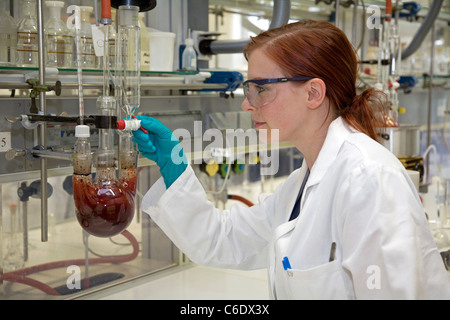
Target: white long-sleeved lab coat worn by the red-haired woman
x=358, y=195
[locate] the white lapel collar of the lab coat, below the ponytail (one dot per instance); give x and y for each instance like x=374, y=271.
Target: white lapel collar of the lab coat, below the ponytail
x=338, y=131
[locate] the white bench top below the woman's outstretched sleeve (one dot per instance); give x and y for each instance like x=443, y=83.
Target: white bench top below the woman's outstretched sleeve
x=191, y=282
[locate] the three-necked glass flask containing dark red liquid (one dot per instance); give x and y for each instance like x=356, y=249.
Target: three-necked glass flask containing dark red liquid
x=104, y=205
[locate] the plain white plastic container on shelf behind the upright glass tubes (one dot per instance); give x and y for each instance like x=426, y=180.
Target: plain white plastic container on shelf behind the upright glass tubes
x=162, y=47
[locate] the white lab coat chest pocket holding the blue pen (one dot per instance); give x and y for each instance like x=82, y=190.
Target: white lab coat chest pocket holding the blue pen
x=322, y=282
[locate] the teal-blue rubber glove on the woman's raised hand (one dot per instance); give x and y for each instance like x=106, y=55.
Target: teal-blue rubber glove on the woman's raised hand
x=162, y=146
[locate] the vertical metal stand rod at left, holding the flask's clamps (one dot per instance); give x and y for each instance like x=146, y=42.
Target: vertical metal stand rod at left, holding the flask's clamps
x=43, y=127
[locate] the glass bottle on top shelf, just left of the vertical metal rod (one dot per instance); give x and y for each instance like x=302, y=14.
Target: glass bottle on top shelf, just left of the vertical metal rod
x=27, y=36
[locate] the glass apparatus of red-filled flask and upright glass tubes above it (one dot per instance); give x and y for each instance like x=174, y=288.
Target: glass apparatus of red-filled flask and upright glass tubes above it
x=105, y=207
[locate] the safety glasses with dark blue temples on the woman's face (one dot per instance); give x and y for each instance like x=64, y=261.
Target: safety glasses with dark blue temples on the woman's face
x=260, y=92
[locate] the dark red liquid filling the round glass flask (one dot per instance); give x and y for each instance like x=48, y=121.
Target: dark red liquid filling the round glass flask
x=105, y=209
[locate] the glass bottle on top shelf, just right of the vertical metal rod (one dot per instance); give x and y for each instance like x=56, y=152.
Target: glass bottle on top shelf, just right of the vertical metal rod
x=59, y=38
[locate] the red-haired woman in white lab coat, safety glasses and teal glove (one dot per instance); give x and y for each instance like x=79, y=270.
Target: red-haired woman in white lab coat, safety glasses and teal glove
x=348, y=224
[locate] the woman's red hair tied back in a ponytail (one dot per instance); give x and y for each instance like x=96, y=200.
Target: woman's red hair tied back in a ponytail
x=321, y=50
